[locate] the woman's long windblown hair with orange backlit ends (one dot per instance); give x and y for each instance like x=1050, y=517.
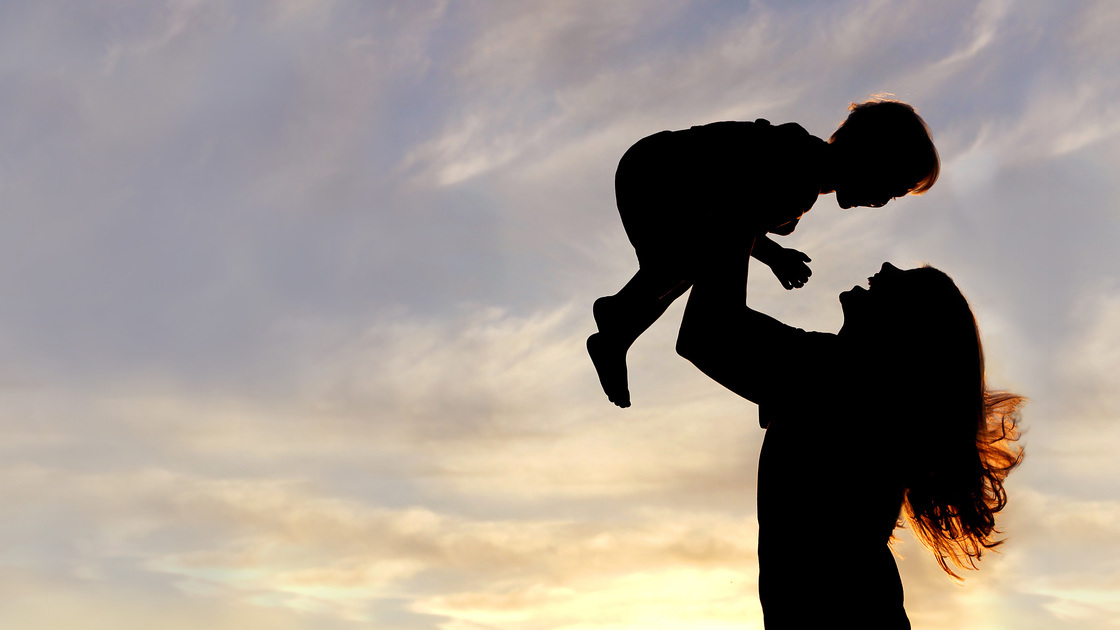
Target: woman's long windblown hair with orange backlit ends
x=964, y=434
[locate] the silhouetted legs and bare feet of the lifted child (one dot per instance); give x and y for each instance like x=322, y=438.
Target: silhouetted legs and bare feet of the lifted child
x=621, y=319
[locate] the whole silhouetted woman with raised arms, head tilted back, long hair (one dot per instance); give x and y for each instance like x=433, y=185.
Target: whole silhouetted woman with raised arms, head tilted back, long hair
x=890, y=414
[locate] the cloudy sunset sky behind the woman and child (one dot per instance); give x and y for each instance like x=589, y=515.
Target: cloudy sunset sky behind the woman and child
x=295, y=298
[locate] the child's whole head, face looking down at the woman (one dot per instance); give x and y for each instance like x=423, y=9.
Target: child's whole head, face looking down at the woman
x=889, y=153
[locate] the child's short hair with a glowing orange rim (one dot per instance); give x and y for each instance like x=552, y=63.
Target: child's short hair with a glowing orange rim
x=885, y=126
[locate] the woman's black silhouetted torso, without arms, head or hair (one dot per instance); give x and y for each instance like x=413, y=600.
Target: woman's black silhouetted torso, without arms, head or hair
x=829, y=498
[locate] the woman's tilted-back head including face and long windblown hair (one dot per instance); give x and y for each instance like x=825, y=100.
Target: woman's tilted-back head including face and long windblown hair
x=921, y=342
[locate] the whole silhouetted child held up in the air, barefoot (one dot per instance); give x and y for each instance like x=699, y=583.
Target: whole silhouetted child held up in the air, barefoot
x=675, y=188
